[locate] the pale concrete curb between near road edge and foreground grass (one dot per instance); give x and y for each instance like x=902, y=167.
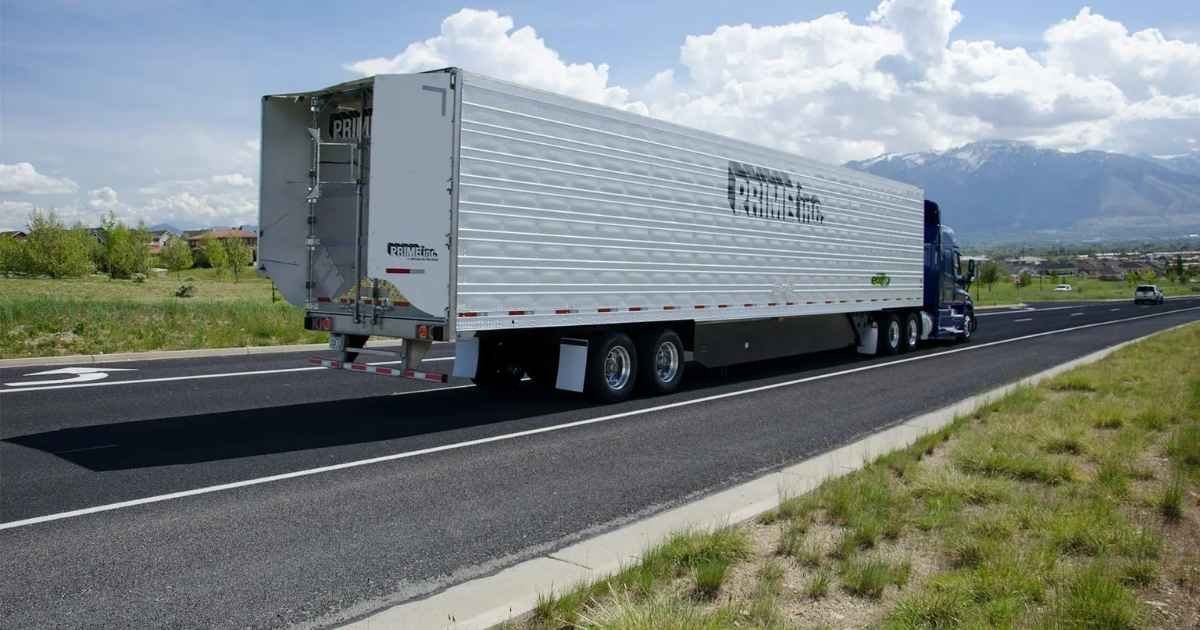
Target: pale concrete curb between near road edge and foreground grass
x=513, y=592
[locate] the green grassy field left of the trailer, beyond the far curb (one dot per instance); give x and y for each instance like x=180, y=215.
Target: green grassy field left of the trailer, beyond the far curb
x=41, y=317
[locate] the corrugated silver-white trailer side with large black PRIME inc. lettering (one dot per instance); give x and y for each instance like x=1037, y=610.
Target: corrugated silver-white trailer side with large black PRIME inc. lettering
x=574, y=214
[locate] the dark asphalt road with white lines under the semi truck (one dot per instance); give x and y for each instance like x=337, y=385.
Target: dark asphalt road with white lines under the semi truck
x=257, y=491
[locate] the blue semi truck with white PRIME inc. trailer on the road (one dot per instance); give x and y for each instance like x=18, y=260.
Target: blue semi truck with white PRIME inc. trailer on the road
x=581, y=247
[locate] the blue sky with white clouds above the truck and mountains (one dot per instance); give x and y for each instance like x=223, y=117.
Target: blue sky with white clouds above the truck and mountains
x=151, y=109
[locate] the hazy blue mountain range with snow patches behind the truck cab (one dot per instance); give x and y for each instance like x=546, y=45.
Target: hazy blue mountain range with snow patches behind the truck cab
x=999, y=191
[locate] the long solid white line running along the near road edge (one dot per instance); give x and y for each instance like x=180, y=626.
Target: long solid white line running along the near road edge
x=505, y=437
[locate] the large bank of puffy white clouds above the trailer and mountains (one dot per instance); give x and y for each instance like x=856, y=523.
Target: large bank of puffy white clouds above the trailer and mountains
x=839, y=88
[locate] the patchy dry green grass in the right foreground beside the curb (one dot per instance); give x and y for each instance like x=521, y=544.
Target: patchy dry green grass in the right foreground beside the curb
x=1075, y=505
